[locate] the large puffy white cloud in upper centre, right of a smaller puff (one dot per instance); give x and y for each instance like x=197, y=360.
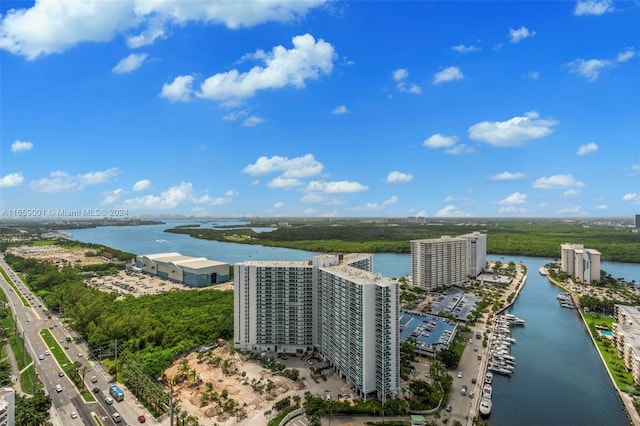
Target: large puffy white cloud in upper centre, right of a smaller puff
x=307, y=60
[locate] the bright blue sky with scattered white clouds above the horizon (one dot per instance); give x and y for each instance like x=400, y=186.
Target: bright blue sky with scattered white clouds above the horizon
x=283, y=108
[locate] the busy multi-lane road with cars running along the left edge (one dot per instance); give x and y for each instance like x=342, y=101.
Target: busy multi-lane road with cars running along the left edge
x=70, y=408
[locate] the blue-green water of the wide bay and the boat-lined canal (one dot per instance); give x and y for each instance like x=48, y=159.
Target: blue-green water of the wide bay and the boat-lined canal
x=559, y=378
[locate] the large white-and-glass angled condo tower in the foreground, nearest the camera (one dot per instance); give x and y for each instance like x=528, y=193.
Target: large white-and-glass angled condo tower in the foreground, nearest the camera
x=333, y=304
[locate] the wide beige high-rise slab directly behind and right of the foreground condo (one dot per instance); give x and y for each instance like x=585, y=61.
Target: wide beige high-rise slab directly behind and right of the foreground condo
x=438, y=262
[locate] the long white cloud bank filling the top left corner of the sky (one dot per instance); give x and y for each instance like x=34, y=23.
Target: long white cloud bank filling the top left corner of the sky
x=54, y=26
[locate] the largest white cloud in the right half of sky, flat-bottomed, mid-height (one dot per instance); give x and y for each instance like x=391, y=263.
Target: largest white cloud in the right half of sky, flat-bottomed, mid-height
x=513, y=132
